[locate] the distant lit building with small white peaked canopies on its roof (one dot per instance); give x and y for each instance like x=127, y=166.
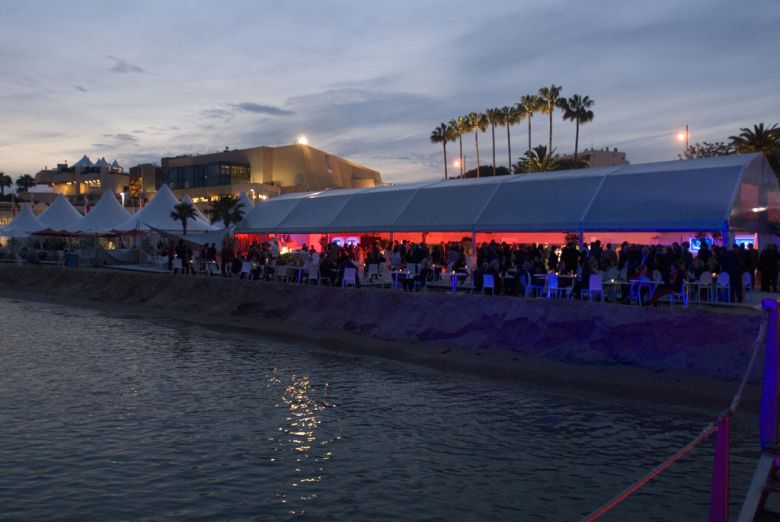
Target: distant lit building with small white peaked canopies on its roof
x=84, y=181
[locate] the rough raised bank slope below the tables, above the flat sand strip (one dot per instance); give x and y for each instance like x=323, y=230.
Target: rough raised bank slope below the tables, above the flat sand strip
x=704, y=342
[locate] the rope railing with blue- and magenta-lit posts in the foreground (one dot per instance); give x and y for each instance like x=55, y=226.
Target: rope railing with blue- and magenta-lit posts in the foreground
x=719, y=493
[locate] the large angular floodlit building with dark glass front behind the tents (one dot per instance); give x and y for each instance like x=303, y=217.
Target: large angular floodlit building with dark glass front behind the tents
x=262, y=172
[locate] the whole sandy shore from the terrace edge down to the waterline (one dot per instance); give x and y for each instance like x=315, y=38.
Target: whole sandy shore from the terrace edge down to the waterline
x=678, y=356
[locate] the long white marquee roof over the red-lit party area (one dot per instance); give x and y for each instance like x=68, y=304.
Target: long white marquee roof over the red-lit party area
x=691, y=195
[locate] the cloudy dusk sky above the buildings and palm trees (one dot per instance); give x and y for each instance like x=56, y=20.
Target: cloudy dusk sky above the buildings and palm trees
x=369, y=80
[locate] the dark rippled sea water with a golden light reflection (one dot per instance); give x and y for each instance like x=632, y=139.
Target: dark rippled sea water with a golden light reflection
x=104, y=416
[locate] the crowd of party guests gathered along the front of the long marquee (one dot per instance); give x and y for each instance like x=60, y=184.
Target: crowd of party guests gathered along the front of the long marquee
x=514, y=268
